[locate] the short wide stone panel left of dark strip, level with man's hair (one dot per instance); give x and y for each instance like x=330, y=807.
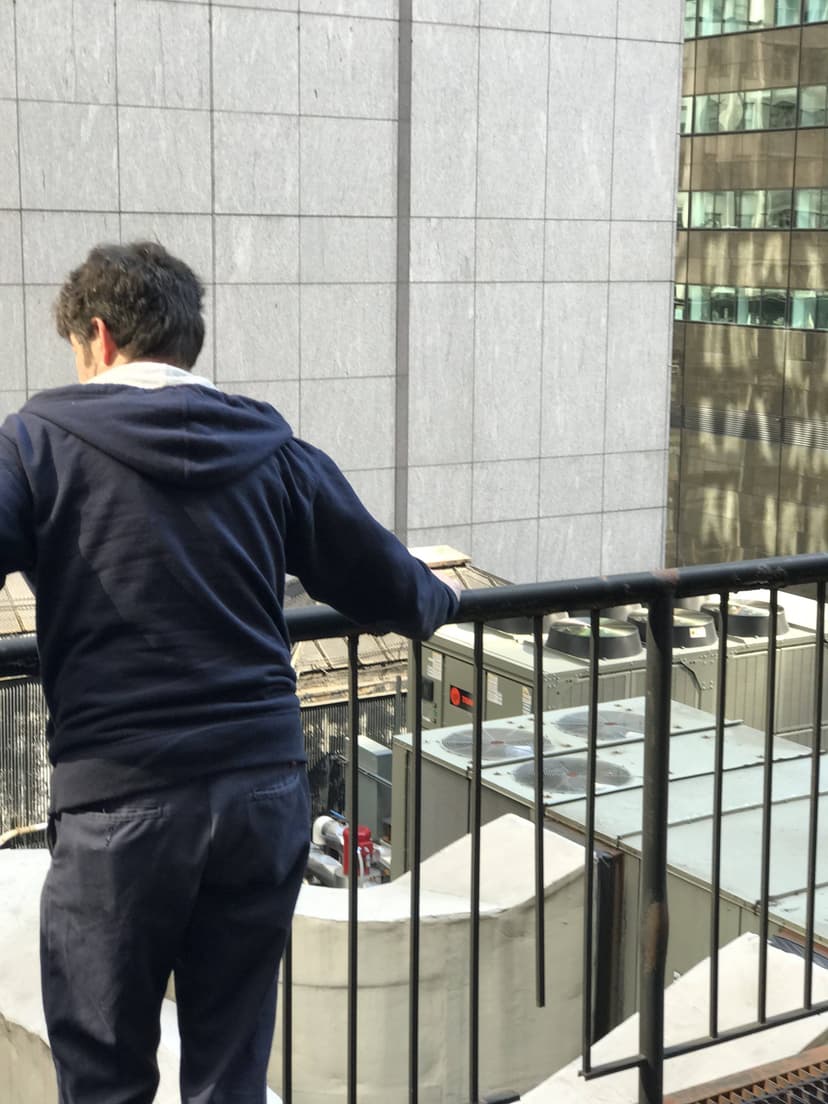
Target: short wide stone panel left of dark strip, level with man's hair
x=335, y=250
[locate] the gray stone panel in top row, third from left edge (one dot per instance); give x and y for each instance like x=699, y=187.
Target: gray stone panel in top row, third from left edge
x=164, y=55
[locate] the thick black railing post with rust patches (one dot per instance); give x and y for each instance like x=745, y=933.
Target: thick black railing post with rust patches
x=654, y=914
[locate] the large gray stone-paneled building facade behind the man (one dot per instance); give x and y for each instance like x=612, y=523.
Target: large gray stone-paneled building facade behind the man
x=438, y=235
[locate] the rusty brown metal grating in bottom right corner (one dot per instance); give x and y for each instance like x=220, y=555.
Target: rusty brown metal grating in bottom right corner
x=799, y=1080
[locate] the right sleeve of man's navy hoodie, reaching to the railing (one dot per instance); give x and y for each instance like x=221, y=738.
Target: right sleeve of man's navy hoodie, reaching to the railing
x=348, y=560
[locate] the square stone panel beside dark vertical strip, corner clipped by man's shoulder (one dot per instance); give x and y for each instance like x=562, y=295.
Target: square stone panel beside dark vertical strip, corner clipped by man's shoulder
x=352, y=420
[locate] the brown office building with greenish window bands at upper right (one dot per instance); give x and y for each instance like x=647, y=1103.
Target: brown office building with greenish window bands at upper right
x=750, y=395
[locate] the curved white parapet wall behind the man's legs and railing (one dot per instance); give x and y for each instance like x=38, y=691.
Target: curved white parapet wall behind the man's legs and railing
x=521, y=1044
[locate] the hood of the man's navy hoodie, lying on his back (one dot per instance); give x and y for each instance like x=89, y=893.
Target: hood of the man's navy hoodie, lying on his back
x=188, y=436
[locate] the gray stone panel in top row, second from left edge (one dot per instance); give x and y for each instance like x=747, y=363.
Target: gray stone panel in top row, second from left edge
x=67, y=51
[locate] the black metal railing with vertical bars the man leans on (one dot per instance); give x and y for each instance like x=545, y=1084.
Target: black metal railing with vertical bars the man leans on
x=660, y=590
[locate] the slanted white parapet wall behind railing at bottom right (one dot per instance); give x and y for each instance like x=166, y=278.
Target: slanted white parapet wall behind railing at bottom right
x=687, y=1017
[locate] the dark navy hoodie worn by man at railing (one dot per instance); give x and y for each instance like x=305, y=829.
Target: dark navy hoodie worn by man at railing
x=158, y=526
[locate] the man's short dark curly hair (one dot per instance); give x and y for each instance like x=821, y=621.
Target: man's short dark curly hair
x=150, y=300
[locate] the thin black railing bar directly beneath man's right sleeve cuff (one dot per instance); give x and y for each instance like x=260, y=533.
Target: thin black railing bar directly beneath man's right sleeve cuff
x=417, y=689
